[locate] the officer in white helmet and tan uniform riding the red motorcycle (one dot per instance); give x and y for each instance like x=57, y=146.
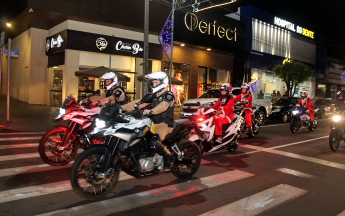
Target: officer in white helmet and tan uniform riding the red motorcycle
x=112, y=90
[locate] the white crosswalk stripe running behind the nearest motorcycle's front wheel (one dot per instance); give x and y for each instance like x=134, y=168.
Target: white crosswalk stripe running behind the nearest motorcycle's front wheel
x=40, y=190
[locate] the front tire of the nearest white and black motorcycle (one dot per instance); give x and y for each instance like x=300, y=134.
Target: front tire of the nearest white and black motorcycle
x=85, y=167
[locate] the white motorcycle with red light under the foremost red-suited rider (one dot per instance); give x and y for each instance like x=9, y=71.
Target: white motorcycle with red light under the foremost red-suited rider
x=205, y=137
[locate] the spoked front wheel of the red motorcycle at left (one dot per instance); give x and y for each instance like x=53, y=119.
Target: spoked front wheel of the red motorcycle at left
x=51, y=150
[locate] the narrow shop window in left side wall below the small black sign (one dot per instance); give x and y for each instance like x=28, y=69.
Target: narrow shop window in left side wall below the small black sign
x=56, y=87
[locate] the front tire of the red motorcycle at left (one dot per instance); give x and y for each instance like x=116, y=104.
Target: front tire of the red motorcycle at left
x=54, y=157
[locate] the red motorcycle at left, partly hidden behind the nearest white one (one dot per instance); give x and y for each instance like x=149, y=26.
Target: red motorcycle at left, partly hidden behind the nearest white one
x=59, y=145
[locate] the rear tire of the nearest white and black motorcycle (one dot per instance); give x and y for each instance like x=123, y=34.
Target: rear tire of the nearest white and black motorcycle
x=191, y=152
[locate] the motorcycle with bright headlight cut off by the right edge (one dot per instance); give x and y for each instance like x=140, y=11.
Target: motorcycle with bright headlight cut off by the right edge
x=335, y=134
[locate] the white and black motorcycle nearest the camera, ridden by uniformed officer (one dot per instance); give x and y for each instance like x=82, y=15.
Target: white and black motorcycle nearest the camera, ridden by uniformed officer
x=95, y=171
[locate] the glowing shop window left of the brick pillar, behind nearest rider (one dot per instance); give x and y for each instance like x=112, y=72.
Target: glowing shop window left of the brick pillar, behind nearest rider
x=180, y=72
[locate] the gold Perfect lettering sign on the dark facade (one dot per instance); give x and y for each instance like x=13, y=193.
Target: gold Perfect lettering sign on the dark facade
x=192, y=23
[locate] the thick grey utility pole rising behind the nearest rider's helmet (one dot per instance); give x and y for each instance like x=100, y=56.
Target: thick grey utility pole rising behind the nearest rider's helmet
x=146, y=45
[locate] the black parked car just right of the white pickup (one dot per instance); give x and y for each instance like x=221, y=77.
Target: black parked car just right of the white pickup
x=281, y=108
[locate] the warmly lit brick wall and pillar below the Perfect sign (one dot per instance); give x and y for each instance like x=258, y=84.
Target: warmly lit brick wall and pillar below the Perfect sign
x=196, y=58
